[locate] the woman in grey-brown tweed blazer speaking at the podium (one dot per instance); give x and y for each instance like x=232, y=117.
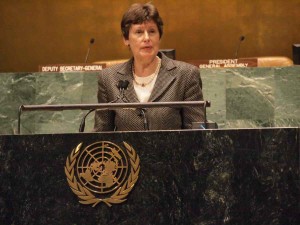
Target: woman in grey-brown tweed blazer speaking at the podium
x=150, y=77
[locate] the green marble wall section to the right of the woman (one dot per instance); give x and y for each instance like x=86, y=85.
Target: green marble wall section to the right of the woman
x=253, y=97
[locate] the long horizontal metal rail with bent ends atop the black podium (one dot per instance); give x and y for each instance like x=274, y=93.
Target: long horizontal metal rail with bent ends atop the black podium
x=107, y=106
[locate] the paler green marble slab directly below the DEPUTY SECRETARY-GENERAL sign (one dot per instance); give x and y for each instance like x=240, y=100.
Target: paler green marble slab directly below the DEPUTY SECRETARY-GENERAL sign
x=63, y=88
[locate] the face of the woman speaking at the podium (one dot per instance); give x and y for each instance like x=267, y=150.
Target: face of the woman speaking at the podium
x=144, y=40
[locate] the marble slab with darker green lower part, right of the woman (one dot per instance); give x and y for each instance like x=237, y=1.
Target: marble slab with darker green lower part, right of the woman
x=249, y=97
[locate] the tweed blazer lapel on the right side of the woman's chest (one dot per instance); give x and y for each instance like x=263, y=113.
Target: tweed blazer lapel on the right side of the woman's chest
x=164, y=78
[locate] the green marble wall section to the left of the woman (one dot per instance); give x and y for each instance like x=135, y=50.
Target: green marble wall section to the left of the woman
x=45, y=88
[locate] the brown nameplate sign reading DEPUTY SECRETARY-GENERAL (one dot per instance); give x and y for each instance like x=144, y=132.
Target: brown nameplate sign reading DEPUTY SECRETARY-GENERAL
x=64, y=68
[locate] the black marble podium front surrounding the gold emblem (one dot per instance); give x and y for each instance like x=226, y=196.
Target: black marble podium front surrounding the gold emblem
x=234, y=176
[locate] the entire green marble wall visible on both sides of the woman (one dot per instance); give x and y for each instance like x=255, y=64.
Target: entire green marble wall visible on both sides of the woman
x=240, y=97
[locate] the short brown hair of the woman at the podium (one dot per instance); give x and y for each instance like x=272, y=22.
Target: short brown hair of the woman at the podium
x=139, y=13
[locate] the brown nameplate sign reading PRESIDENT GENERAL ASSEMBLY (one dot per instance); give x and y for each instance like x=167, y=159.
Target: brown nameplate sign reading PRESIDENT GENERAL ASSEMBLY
x=224, y=63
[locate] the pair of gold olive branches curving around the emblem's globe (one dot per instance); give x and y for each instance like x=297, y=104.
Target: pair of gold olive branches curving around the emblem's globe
x=87, y=197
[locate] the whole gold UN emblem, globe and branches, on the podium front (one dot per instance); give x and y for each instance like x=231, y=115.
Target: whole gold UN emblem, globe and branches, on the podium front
x=102, y=172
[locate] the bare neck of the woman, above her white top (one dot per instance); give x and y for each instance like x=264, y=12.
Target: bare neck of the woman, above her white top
x=144, y=69
